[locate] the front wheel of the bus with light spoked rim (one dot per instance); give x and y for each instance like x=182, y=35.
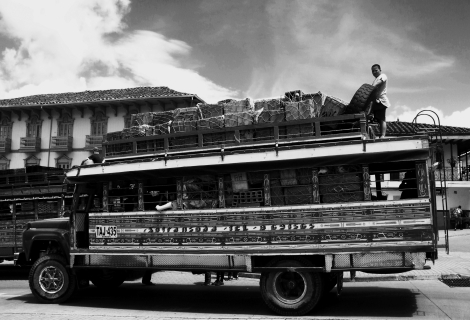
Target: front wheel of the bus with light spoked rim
x=50, y=281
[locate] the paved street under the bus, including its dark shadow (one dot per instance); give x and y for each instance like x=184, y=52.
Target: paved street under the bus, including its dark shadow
x=179, y=295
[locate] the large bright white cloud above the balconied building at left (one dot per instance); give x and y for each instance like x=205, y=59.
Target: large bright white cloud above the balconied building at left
x=85, y=45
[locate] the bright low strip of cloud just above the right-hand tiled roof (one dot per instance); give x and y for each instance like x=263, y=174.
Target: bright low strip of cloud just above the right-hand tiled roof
x=429, y=115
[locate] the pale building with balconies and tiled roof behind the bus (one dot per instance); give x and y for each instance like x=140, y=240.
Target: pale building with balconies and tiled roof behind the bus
x=60, y=130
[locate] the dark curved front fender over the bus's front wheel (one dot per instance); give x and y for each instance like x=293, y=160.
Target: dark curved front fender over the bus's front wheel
x=31, y=236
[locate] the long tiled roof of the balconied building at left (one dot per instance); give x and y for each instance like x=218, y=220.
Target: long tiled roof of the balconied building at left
x=94, y=96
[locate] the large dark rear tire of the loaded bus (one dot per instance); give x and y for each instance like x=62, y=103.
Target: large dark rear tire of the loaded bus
x=291, y=293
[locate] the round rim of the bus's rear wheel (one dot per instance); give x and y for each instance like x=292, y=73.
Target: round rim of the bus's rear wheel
x=289, y=287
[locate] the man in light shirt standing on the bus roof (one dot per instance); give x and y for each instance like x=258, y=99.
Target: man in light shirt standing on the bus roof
x=381, y=102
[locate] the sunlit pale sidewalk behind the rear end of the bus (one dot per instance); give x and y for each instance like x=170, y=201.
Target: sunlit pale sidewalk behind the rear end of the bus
x=454, y=265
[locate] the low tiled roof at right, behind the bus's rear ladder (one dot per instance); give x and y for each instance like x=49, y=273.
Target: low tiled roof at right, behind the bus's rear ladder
x=397, y=128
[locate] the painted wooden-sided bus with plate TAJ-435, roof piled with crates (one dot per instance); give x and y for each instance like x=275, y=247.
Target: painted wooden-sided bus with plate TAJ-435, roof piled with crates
x=283, y=191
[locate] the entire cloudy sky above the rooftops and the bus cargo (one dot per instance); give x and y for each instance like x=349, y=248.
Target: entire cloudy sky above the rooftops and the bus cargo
x=221, y=49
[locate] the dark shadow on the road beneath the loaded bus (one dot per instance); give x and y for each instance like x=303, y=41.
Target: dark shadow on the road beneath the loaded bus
x=240, y=299
